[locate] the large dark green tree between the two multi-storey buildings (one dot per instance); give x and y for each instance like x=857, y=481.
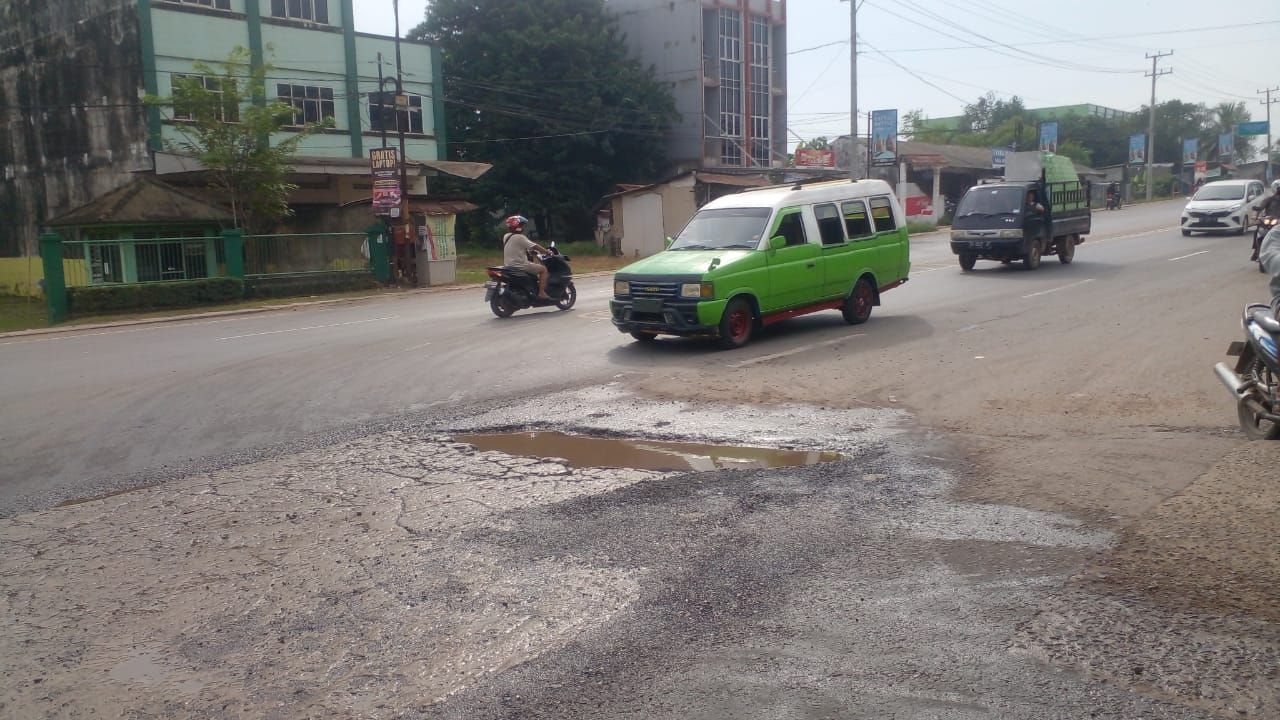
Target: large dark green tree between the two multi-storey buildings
x=546, y=93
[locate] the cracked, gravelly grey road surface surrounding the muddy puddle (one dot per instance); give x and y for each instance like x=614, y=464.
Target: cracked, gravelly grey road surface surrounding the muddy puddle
x=405, y=576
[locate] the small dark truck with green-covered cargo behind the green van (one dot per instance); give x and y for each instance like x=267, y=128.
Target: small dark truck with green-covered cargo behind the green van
x=1040, y=209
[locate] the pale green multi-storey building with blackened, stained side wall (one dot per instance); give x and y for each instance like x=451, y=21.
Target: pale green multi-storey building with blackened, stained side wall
x=74, y=72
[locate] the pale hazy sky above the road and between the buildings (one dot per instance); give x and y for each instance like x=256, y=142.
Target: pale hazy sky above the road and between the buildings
x=1062, y=53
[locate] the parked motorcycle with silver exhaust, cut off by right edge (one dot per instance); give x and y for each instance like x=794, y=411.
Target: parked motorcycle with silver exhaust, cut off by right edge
x=1255, y=382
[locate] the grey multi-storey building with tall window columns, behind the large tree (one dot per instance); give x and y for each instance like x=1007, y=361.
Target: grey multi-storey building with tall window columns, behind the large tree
x=726, y=63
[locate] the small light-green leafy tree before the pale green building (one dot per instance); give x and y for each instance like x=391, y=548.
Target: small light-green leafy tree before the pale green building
x=227, y=125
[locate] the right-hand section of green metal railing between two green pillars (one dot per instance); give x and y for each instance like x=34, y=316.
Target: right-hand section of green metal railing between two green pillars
x=308, y=253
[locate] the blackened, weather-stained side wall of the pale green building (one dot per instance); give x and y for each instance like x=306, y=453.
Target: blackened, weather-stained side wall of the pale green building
x=74, y=127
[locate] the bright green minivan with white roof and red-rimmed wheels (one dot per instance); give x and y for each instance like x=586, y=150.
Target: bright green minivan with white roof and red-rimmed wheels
x=765, y=256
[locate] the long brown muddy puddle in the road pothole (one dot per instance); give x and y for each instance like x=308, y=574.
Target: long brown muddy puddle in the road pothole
x=583, y=452
